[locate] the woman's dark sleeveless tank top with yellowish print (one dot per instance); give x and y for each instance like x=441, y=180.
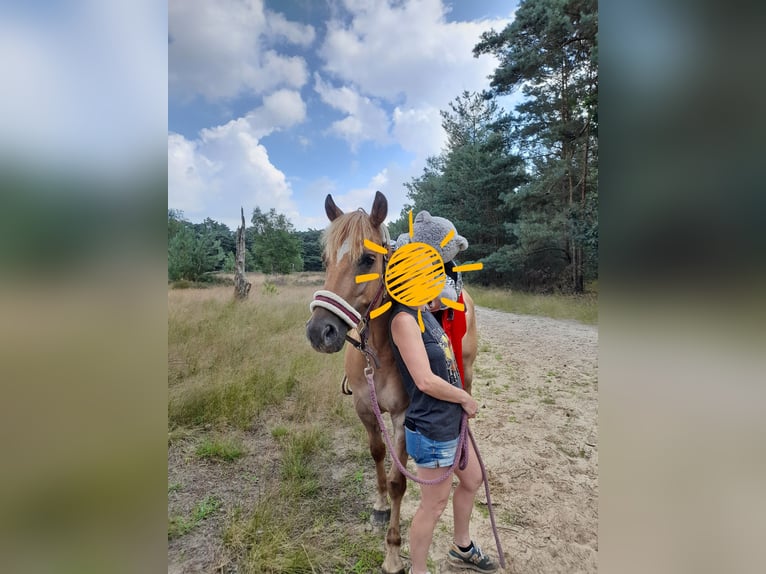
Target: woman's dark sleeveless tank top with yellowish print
x=436, y=419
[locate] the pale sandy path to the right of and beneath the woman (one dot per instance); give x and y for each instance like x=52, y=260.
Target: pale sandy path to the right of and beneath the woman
x=536, y=382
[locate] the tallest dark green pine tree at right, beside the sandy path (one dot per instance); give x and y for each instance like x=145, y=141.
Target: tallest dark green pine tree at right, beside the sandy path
x=550, y=53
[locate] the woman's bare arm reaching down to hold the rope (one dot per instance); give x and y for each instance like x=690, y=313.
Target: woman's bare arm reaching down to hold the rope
x=406, y=334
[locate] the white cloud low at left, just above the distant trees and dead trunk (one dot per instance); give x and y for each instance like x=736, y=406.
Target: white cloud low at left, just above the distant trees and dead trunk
x=227, y=166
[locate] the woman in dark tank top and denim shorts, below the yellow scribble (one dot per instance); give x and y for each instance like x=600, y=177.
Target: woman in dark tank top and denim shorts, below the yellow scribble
x=432, y=425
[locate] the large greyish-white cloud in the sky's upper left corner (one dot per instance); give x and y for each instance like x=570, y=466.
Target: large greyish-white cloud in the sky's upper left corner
x=224, y=48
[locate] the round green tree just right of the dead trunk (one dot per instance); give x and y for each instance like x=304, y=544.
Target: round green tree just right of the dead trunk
x=276, y=248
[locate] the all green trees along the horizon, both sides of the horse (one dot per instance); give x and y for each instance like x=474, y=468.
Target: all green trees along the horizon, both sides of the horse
x=522, y=186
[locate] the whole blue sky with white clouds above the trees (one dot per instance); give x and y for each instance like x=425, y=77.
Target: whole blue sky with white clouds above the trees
x=275, y=104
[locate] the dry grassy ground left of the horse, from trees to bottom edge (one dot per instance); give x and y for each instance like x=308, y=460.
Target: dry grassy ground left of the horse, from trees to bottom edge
x=251, y=403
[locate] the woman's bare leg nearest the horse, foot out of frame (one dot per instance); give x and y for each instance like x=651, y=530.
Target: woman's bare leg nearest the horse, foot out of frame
x=433, y=501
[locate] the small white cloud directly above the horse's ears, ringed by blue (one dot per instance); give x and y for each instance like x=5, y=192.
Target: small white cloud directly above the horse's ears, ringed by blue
x=365, y=120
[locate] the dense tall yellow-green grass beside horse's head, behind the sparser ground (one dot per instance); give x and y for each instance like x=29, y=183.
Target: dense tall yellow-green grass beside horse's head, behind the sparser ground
x=229, y=360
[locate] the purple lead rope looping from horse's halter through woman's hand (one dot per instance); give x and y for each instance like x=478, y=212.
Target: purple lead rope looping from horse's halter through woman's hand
x=460, y=461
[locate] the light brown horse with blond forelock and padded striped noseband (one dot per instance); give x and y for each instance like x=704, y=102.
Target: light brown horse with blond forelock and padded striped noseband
x=340, y=313
